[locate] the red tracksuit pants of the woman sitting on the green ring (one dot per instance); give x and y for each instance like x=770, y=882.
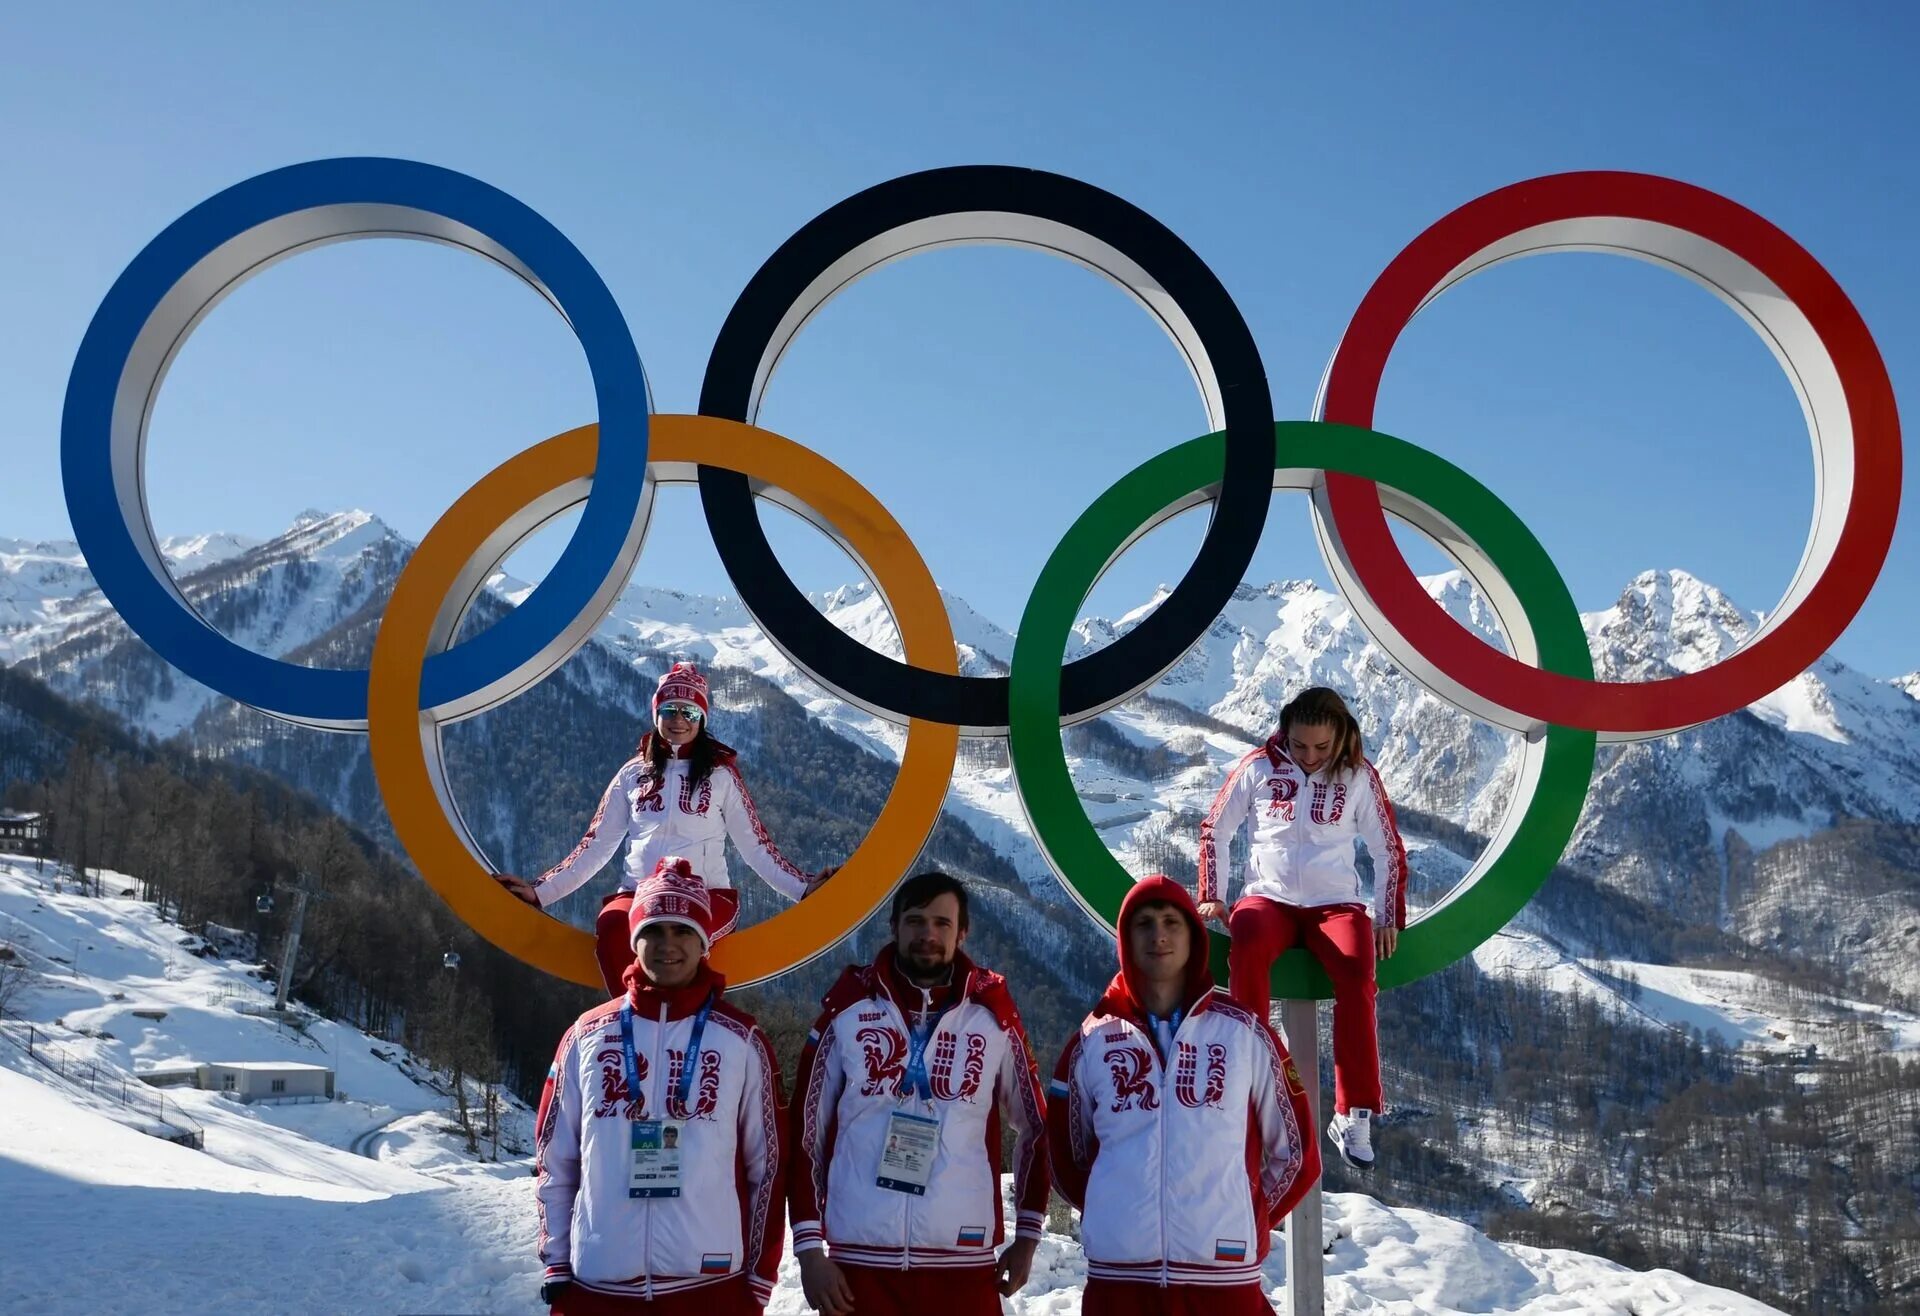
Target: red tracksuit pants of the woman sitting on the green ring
x=1341, y=938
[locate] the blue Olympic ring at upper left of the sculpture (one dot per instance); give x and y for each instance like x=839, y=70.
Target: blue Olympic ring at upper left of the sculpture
x=208, y=253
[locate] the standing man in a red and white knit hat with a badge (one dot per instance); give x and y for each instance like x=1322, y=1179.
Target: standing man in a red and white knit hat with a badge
x=660, y=1156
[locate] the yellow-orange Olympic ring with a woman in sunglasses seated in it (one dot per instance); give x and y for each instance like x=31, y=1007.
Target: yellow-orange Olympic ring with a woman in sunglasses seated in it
x=421, y=618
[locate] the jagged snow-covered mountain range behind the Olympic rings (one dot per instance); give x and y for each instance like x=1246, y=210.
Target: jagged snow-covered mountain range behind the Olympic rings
x=1685, y=825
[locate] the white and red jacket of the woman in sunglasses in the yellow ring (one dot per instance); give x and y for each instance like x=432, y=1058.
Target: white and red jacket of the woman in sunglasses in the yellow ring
x=675, y=816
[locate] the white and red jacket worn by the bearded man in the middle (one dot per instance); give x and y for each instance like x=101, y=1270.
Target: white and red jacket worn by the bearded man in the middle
x=855, y=1075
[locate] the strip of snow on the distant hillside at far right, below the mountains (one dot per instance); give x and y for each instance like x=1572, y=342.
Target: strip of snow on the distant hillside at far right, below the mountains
x=1746, y=1011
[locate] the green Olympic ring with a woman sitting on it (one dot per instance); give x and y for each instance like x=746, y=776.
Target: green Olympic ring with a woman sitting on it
x=1522, y=858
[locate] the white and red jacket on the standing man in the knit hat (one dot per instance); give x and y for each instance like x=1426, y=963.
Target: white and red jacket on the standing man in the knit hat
x=729, y=1215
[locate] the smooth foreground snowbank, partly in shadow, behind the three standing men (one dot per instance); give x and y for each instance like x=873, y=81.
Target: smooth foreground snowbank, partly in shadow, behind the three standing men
x=107, y=1219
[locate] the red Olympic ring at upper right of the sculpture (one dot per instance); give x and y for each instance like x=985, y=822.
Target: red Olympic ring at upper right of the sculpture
x=1790, y=301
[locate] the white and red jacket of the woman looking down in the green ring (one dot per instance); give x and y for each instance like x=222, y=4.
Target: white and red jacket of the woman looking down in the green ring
x=1301, y=837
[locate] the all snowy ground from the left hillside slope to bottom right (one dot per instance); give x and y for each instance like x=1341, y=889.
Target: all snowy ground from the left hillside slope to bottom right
x=281, y=1215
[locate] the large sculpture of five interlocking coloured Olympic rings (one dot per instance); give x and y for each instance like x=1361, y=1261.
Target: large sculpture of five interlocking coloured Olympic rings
x=421, y=681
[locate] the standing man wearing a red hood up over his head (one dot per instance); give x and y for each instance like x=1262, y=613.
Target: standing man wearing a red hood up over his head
x=1176, y=1127
